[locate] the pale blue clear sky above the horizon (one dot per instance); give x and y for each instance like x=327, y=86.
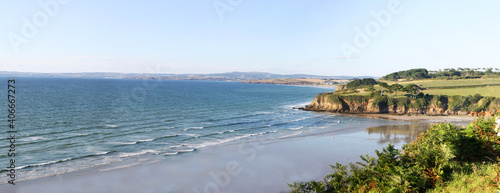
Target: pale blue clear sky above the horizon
x=286, y=37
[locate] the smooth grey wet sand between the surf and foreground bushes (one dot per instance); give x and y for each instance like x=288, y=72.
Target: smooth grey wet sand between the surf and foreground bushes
x=253, y=166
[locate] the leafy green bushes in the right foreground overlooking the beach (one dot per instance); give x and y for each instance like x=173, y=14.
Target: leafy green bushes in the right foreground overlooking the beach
x=443, y=157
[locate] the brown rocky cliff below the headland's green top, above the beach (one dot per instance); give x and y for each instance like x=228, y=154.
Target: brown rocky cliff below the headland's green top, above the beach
x=365, y=104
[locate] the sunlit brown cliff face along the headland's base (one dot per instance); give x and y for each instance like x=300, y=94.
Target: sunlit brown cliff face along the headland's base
x=330, y=103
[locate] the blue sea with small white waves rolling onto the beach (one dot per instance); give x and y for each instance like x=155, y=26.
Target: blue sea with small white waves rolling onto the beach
x=68, y=124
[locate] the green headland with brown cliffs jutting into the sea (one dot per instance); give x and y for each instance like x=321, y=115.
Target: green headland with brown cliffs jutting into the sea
x=430, y=96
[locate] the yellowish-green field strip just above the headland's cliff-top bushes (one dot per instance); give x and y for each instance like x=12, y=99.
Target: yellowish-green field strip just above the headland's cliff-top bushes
x=484, y=91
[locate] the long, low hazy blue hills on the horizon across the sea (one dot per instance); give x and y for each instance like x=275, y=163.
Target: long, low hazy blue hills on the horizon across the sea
x=227, y=76
